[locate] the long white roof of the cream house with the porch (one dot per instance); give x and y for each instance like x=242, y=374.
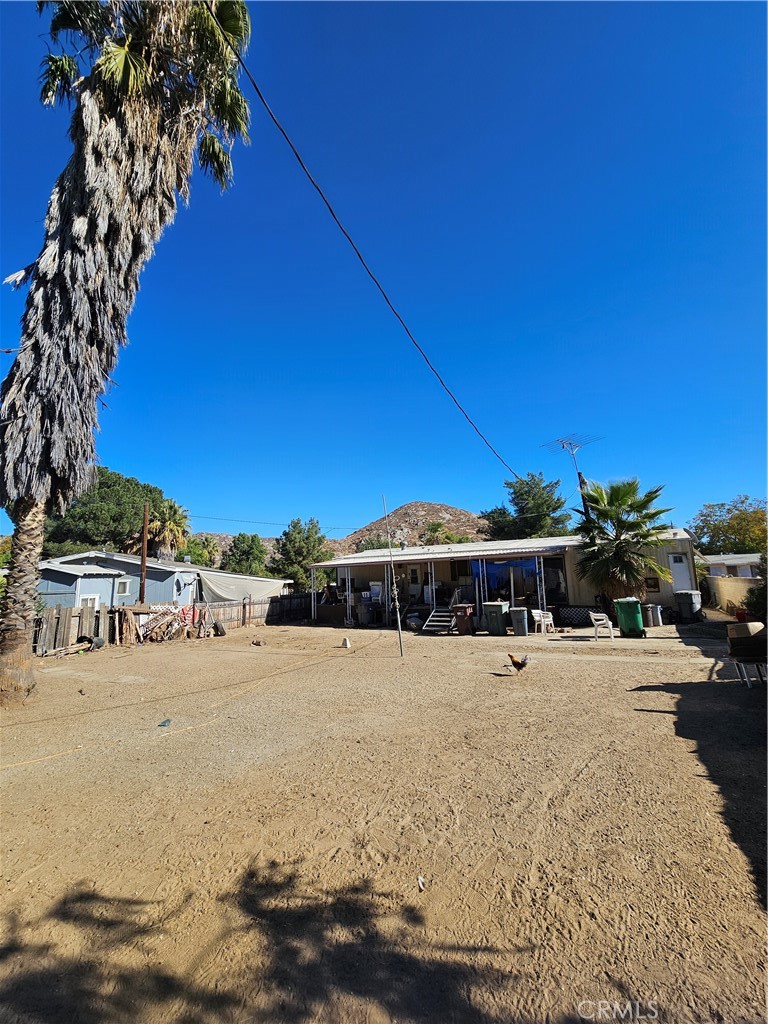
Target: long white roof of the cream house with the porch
x=529, y=547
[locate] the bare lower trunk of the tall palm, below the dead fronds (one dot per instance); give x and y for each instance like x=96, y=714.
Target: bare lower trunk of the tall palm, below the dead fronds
x=18, y=607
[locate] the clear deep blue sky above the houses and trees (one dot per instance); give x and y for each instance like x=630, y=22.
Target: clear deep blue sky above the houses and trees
x=566, y=202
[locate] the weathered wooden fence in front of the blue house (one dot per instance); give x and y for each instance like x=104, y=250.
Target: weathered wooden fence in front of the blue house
x=60, y=627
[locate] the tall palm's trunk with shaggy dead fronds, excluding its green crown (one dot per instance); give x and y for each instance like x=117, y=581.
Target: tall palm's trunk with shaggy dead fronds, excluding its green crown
x=107, y=211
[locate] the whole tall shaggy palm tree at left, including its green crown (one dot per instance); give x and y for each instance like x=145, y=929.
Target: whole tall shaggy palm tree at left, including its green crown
x=153, y=82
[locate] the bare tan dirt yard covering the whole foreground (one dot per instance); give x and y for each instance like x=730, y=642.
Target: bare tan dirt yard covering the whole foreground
x=211, y=831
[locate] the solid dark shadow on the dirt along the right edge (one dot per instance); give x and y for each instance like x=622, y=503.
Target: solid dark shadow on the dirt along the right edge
x=729, y=724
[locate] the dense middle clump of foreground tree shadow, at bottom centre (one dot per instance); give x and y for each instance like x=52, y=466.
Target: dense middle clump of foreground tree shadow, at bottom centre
x=334, y=944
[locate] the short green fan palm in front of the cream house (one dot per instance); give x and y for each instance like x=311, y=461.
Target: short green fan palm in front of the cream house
x=620, y=533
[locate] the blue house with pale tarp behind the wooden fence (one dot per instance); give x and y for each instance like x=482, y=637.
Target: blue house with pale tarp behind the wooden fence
x=106, y=579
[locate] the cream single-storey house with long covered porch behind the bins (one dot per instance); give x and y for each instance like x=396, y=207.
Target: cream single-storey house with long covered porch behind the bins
x=539, y=573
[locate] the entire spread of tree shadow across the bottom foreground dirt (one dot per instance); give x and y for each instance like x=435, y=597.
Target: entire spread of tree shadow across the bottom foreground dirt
x=319, y=952
